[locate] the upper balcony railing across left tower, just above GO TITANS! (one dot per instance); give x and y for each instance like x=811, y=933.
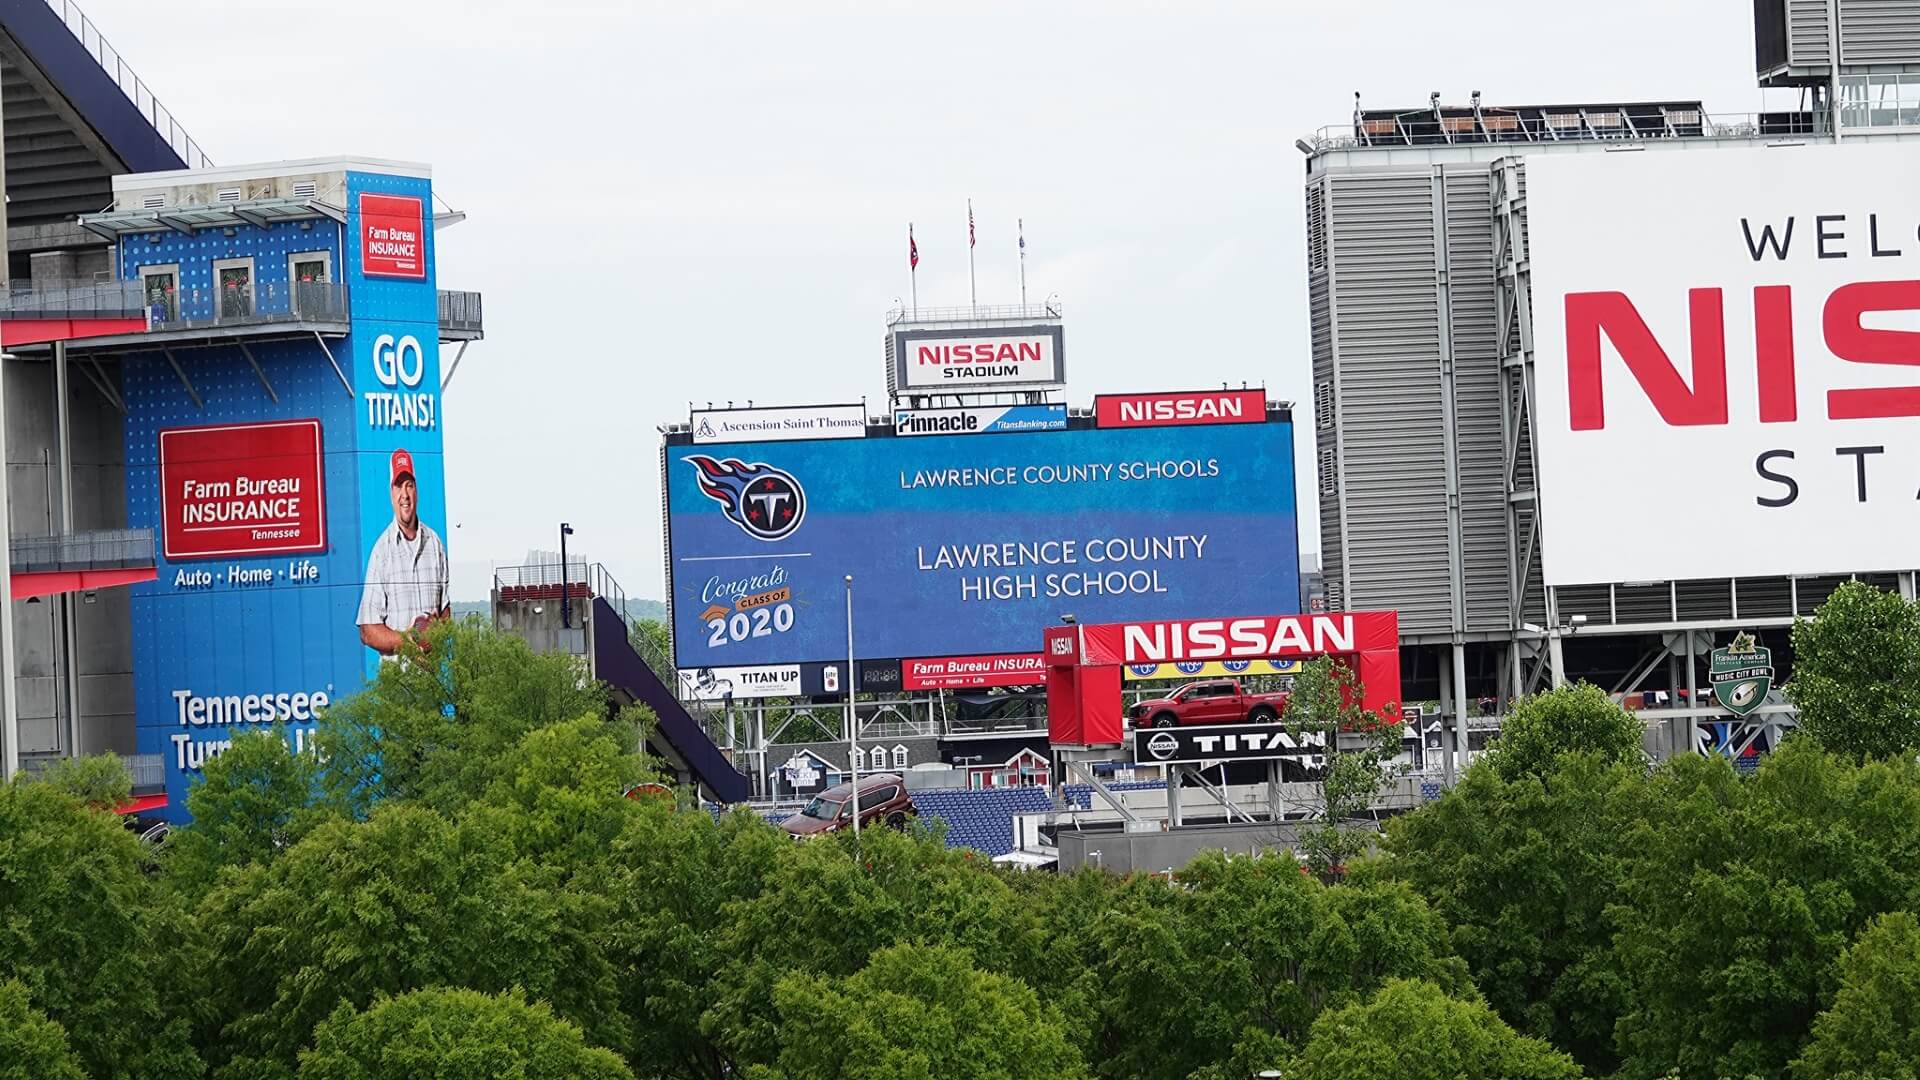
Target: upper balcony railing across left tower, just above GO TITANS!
x=214, y=308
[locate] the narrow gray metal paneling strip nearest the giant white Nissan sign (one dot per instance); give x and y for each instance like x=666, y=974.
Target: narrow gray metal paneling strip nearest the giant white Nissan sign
x=1474, y=308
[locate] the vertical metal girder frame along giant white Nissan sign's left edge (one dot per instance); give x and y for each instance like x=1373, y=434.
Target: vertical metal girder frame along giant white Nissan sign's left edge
x=1514, y=299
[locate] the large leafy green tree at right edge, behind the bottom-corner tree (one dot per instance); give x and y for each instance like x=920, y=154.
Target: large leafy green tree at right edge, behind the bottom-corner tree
x=1742, y=895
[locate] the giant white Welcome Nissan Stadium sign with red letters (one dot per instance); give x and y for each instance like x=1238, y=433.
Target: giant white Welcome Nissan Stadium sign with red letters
x=1727, y=351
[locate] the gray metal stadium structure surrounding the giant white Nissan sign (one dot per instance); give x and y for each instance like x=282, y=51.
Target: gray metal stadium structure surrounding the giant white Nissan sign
x=1420, y=285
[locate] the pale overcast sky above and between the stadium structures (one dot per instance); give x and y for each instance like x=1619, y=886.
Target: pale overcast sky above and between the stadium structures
x=673, y=207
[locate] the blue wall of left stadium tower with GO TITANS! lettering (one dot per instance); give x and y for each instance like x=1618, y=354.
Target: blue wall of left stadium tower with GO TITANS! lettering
x=239, y=643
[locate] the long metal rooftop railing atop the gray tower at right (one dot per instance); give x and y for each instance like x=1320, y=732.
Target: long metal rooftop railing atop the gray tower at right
x=1420, y=128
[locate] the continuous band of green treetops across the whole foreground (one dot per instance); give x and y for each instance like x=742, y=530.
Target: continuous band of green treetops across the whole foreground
x=494, y=906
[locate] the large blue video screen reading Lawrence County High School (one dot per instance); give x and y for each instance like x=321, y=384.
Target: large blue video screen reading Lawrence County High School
x=971, y=547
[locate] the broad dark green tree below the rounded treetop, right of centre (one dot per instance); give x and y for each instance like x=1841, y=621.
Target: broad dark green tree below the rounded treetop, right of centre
x=1524, y=871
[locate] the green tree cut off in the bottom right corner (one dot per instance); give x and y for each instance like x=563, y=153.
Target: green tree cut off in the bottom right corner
x=1873, y=1029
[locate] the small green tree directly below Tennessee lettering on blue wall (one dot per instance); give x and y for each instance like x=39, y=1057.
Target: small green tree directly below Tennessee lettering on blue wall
x=252, y=802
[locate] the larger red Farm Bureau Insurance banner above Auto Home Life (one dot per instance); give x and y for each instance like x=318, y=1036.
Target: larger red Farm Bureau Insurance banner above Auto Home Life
x=241, y=491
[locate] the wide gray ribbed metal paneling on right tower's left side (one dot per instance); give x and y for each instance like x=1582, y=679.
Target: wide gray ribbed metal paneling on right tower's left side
x=1387, y=385
